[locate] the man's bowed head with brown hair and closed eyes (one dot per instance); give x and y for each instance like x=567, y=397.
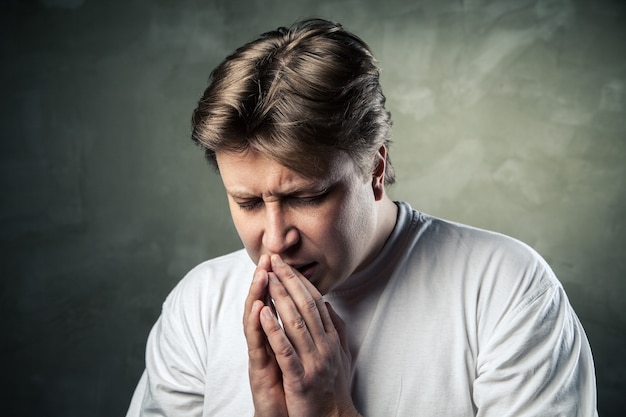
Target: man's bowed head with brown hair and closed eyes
x=296, y=125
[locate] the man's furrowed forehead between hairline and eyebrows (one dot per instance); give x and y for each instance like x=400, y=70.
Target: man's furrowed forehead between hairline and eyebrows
x=253, y=172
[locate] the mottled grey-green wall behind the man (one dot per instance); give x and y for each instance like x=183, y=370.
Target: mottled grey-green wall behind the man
x=509, y=115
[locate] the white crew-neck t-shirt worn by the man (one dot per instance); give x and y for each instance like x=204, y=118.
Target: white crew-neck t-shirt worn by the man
x=449, y=320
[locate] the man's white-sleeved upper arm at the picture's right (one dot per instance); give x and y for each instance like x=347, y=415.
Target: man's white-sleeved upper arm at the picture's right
x=537, y=362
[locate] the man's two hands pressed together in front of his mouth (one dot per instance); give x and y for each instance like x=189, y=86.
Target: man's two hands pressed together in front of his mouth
x=301, y=369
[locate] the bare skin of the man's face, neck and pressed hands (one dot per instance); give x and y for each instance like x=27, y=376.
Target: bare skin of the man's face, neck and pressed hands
x=307, y=235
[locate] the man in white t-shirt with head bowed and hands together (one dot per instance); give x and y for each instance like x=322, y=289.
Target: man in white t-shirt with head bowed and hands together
x=352, y=304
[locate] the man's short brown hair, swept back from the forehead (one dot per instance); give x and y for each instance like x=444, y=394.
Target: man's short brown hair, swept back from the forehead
x=295, y=95
